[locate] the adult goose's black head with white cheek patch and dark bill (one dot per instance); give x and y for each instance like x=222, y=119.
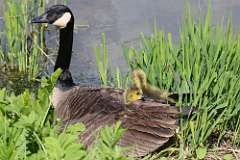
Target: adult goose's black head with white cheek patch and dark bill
x=57, y=15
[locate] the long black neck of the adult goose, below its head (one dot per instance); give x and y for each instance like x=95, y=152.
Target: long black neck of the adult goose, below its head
x=65, y=54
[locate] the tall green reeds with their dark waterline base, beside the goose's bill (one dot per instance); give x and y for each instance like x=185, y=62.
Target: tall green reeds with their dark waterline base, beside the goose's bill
x=22, y=48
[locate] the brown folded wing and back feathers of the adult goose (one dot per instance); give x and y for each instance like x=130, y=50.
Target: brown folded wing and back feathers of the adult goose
x=149, y=123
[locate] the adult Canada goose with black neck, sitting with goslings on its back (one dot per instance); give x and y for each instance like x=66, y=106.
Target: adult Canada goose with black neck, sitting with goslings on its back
x=149, y=123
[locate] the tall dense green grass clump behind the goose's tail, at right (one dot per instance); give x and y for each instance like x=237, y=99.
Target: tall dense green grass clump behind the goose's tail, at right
x=204, y=62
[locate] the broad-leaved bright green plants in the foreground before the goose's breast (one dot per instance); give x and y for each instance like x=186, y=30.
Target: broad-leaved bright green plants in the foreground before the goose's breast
x=28, y=130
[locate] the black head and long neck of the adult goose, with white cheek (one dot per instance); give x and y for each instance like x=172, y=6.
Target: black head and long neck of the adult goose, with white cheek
x=62, y=17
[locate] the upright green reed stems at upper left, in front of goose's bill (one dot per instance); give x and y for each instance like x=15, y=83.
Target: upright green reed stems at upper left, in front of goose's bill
x=21, y=51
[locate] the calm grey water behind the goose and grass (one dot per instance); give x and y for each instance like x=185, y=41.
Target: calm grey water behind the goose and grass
x=122, y=21
